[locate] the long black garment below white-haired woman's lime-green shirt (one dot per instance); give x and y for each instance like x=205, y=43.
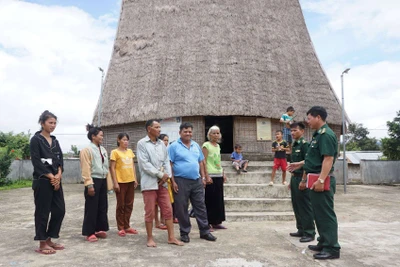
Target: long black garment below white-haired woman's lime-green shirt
x=214, y=198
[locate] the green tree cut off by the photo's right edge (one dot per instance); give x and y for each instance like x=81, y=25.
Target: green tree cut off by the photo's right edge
x=391, y=144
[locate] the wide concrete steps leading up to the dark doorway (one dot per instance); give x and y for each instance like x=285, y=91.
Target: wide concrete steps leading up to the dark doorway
x=248, y=197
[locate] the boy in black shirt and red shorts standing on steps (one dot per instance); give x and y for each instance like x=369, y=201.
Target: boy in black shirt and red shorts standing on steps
x=280, y=147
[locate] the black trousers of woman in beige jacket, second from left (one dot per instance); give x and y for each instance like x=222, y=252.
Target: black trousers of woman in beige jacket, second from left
x=96, y=207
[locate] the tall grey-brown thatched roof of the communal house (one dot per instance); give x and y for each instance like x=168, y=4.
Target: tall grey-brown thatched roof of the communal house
x=207, y=57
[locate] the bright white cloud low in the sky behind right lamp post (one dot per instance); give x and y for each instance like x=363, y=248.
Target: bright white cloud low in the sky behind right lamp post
x=371, y=93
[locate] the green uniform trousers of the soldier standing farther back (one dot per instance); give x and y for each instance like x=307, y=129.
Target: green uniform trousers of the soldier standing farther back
x=302, y=208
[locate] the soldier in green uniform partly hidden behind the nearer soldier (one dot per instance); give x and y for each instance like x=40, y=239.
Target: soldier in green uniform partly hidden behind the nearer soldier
x=300, y=194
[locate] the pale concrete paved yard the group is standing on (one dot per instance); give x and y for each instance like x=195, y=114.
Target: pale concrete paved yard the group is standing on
x=369, y=233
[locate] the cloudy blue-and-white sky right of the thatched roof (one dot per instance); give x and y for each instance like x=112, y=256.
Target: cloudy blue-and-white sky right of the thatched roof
x=363, y=35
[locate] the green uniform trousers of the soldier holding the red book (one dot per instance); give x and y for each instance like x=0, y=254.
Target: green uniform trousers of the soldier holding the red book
x=325, y=218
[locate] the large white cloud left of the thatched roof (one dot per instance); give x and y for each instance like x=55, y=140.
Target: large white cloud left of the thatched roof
x=49, y=59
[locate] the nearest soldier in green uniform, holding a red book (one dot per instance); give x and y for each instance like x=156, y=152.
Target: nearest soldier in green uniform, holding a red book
x=321, y=156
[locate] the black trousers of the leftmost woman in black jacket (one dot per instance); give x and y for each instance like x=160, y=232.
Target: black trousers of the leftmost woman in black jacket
x=47, y=201
